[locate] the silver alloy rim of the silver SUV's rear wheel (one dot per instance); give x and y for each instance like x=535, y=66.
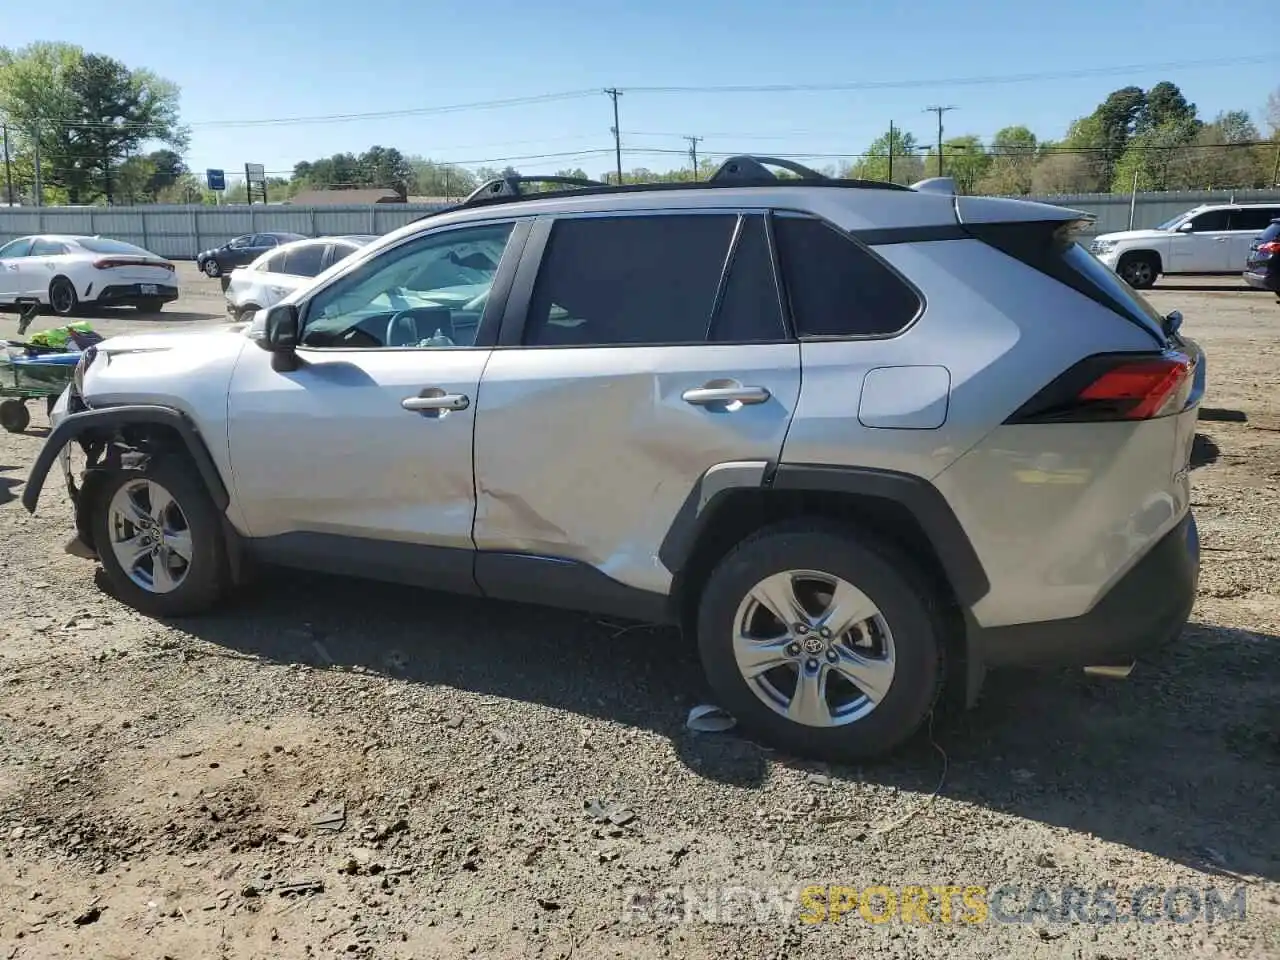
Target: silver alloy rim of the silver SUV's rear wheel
x=813, y=648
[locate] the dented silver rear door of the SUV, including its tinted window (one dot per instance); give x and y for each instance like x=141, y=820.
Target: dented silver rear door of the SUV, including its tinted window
x=638, y=351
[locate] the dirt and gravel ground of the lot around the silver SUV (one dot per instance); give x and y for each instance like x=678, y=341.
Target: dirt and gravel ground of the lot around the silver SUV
x=335, y=769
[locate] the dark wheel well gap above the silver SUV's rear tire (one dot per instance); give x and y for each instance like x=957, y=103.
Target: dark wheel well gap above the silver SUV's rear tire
x=742, y=513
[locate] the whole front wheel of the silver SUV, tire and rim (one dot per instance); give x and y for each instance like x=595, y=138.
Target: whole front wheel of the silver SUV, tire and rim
x=159, y=540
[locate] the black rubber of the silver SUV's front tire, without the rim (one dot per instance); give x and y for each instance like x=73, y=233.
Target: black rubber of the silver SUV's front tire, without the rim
x=205, y=579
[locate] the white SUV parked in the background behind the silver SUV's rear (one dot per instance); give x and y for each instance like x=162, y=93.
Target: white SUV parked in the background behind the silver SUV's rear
x=1213, y=239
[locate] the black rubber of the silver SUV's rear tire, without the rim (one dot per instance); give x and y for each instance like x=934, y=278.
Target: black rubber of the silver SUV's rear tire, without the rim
x=888, y=578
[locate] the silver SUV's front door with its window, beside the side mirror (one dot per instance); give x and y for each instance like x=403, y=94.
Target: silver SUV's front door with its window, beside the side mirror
x=360, y=460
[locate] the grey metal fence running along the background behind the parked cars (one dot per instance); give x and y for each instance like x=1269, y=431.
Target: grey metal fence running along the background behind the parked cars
x=181, y=232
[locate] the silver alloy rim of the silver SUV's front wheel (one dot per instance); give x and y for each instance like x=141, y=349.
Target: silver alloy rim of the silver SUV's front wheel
x=150, y=537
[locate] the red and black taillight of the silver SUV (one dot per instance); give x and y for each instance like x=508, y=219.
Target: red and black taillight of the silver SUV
x=1113, y=387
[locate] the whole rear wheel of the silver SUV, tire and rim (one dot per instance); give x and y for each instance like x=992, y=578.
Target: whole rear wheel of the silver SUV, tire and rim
x=861, y=664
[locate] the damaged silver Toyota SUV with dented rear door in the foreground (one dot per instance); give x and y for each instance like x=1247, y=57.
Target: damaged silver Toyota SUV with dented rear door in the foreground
x=860, y=441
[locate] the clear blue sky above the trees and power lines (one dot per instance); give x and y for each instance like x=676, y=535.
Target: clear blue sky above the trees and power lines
x=294, y=60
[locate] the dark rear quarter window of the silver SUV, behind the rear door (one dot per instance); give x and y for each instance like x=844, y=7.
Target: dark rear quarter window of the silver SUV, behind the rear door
x=835, y=287
